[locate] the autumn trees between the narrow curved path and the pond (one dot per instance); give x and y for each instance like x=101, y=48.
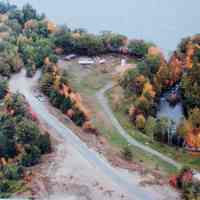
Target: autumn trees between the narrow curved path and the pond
x=144, y=85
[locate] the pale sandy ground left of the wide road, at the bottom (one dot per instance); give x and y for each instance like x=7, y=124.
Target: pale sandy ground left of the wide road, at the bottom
x=68, y=176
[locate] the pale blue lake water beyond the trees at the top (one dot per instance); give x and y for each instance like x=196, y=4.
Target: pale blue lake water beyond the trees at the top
x=163, y=22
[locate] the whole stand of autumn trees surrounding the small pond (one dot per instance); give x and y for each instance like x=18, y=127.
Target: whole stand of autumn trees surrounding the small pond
x=153, y=75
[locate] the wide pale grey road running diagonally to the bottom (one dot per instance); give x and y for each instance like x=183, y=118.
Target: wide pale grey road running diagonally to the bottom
x=23, y=85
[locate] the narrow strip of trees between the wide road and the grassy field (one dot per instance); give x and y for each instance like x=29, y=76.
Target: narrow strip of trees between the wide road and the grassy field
x=55, y=85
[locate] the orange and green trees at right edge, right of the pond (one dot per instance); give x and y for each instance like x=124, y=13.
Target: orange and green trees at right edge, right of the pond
x=188, y=53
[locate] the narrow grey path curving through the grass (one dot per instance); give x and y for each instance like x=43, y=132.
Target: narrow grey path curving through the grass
x=105, y=105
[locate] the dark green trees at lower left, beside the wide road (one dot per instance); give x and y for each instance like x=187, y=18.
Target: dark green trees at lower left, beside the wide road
x=21, y=143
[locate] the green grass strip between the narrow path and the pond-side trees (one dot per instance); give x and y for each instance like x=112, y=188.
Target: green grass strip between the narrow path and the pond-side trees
x=179, y=155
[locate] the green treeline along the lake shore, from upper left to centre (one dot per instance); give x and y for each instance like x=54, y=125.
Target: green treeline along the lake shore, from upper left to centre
x=28, y=38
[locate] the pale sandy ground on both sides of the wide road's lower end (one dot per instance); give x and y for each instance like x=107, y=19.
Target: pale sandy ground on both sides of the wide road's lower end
x=64, y=174
